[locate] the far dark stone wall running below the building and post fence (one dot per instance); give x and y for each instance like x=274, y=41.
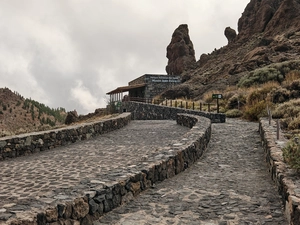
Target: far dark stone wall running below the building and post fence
x=143, y=111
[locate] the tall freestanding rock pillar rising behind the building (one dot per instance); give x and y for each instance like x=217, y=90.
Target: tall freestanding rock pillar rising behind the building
x=180, y=52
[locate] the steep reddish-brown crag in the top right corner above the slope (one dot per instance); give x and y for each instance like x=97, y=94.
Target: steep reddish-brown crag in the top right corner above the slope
x=269, y=16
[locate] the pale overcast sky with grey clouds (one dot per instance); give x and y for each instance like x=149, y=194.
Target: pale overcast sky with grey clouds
x=70, y=53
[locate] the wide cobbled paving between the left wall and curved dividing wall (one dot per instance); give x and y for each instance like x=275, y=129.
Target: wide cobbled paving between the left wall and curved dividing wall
x=38, y=180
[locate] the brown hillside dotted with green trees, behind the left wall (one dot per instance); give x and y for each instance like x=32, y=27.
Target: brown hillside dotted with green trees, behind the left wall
x=20, y=115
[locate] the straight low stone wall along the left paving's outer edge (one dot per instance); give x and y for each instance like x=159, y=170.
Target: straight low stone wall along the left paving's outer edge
x=25, y=144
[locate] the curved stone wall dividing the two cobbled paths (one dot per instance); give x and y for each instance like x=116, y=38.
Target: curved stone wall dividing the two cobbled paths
x=97, y=201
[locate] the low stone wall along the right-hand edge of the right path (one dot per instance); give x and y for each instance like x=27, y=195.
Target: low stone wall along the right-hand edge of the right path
x=285, y=178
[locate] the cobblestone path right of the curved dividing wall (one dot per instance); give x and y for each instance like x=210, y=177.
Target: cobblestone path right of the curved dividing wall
x=229, y=185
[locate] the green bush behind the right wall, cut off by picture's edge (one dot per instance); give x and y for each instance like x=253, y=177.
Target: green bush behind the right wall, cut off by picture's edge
x=291, y=154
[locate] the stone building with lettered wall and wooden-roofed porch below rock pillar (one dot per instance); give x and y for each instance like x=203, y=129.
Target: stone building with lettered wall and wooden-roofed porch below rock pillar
x=145, y=88
